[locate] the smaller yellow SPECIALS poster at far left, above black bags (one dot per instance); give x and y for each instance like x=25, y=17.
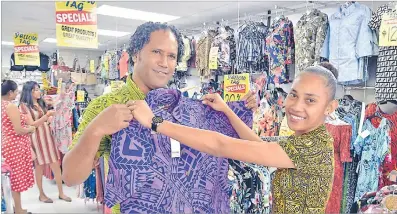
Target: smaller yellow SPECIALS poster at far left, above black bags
x=26, y=49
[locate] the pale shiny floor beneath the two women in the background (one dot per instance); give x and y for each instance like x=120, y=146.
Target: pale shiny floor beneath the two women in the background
x=30, y=201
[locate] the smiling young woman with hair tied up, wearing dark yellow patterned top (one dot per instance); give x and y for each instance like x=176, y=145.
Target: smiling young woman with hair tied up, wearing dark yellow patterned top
x=304, y=183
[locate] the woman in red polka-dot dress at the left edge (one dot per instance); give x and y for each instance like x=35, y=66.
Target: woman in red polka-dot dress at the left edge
x=16, y=147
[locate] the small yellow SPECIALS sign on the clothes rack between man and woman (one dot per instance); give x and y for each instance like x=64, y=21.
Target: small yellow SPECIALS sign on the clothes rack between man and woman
x=235, y=87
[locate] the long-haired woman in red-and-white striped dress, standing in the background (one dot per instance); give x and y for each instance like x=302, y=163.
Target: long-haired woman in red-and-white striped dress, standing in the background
x=32, y=104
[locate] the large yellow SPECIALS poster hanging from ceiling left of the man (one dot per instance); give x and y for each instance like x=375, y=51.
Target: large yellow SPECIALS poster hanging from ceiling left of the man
x=76, y=24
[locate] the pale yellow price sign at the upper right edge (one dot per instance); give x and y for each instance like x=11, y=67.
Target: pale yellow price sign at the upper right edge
x=388, y=30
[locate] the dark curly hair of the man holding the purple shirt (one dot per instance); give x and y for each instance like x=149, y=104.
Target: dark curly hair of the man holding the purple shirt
x=142, y=37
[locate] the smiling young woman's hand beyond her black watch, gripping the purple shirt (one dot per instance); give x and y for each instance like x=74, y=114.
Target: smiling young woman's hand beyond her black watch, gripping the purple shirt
x=142, y=113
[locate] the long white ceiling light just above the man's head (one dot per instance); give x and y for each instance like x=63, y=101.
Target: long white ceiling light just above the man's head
x=126, y=13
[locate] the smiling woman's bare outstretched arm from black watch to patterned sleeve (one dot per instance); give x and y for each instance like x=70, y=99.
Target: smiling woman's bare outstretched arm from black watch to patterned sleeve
x=213, y=143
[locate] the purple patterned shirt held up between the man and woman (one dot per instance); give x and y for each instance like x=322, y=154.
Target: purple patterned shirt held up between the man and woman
x=144, y=178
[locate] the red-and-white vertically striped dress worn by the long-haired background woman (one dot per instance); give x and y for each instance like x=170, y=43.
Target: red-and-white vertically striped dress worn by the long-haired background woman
x=42, y=139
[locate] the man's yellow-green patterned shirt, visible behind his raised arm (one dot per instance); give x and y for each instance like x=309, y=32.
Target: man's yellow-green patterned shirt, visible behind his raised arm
x=129, y=91
